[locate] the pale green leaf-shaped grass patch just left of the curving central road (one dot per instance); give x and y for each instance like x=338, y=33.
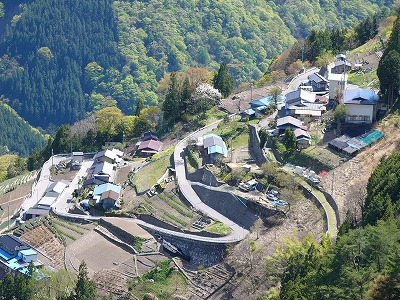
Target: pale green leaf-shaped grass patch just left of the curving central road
x=147, y=176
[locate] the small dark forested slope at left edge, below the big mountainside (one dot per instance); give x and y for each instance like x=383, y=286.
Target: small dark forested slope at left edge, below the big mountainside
x=16, y=135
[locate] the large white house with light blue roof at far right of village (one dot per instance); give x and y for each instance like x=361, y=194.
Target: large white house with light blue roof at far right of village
x=361, y=105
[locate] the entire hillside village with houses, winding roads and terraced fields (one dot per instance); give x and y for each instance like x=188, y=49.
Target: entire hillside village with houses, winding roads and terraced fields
x=190, y=212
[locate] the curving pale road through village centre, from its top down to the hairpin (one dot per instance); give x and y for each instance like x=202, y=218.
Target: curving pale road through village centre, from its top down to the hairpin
x=238, y=232
